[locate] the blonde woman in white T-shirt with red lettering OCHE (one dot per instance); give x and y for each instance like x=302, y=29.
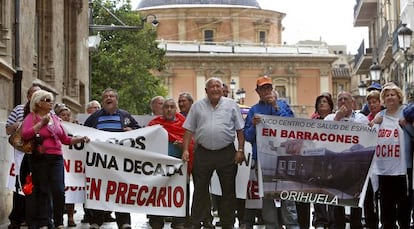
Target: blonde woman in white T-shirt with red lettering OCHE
x=391, y=160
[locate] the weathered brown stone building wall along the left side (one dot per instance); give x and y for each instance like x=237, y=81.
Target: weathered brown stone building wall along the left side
x=42, y=42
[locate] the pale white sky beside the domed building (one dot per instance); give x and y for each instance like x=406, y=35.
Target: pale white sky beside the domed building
x=326, y=20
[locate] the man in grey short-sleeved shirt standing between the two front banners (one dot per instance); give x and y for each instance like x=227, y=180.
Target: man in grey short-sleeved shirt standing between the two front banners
x=214, y=121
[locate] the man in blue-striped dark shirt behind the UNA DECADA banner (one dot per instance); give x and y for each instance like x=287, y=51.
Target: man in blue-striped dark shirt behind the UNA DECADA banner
x=111, y=118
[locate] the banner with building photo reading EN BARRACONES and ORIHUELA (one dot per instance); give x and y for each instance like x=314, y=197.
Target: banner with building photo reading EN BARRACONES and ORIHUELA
x=316, y=161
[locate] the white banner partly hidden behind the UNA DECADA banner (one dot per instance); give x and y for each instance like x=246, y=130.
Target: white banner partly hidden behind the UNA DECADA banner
x=153, y=139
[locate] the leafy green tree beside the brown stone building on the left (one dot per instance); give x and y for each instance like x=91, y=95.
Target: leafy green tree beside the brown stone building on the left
x=125, y=58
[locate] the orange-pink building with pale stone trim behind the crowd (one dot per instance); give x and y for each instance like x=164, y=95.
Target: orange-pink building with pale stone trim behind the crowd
x=237, y=41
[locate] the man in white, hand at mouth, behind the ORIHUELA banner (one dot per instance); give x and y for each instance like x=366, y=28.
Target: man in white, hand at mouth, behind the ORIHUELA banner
x=345, y=112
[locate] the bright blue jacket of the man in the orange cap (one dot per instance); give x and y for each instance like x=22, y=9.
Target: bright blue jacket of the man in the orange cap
x=266, y=109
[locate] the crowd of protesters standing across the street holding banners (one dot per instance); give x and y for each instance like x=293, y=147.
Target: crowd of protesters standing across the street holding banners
x=209, y=135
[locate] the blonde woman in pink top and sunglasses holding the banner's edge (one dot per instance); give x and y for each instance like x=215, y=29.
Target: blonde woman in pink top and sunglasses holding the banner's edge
x=46, y=162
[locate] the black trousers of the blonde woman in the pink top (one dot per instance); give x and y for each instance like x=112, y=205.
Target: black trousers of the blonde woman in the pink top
x=49, y=184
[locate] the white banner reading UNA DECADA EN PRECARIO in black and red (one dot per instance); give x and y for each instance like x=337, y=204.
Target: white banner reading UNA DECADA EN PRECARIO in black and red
x=125, y=179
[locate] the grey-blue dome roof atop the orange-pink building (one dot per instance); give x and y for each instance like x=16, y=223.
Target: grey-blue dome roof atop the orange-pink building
x=154, y=3
